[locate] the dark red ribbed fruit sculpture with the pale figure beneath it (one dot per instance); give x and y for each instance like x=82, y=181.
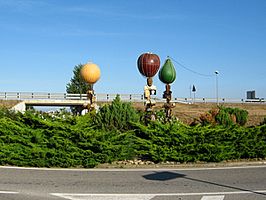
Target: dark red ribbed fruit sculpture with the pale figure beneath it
x=148, y=65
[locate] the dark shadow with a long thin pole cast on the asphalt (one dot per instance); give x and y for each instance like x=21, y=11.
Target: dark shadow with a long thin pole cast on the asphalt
x=166, y=175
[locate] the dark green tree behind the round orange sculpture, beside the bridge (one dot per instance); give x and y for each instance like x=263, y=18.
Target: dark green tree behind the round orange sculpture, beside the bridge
x=77, y=86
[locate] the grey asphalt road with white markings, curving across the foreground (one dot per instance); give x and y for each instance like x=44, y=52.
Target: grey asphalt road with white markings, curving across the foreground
x=240, y=183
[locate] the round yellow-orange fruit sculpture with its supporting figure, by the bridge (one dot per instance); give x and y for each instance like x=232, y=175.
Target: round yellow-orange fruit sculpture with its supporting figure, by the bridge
x=91, y=73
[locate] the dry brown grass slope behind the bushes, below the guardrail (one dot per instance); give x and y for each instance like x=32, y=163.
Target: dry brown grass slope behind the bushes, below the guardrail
x=188, y=112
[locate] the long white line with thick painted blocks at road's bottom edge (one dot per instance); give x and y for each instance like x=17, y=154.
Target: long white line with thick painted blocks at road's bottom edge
x=206, y=195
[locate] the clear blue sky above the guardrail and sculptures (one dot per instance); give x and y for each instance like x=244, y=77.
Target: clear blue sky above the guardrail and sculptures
x=42, y=40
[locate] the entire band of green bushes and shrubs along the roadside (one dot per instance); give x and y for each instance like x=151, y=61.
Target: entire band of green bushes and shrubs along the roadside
x=117, y=133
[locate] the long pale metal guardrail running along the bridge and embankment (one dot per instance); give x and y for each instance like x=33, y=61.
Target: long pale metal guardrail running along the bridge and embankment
x=109, y=97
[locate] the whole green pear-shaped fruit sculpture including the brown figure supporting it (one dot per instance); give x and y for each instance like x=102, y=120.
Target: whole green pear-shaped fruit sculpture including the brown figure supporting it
x=167, y=75
